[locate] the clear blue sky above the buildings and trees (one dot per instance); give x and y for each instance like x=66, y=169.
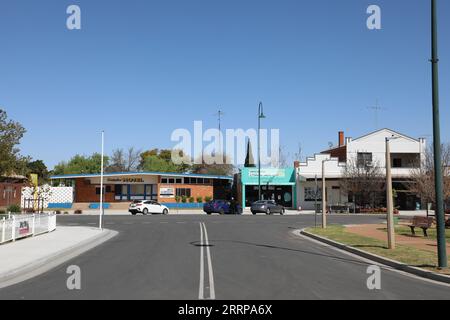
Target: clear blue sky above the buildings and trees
x=141, y=68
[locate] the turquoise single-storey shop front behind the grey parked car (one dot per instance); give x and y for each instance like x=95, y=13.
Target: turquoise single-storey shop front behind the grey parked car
x=276, y=184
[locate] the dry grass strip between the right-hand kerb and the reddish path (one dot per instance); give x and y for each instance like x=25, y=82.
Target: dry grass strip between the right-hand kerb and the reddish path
x=405, y=254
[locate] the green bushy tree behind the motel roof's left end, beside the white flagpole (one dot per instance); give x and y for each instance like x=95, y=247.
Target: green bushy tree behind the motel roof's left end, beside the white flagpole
x=81, y=165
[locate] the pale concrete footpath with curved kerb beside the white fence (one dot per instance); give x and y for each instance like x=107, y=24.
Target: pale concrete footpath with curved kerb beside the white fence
x=27, y=258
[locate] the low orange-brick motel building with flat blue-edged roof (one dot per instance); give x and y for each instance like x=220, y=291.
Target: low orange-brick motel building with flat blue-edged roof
x=162, y=187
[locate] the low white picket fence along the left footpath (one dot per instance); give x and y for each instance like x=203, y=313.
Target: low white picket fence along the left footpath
x=17, y=227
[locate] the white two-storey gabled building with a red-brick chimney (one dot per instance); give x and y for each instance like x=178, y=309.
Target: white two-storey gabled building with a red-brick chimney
x=406, y=153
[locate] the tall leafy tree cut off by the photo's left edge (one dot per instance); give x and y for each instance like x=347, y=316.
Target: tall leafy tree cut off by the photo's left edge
x=11, y=133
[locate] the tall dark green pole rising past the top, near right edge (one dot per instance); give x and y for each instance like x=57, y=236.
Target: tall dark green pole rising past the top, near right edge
x=440, y=218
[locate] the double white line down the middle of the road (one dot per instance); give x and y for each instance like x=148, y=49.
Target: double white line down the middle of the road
x=204, y=243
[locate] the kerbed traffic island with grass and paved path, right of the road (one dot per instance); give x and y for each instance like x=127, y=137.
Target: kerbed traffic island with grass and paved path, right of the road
x=416, y=257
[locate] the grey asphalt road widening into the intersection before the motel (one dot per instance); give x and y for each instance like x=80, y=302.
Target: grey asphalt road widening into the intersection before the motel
x=231, y=257
